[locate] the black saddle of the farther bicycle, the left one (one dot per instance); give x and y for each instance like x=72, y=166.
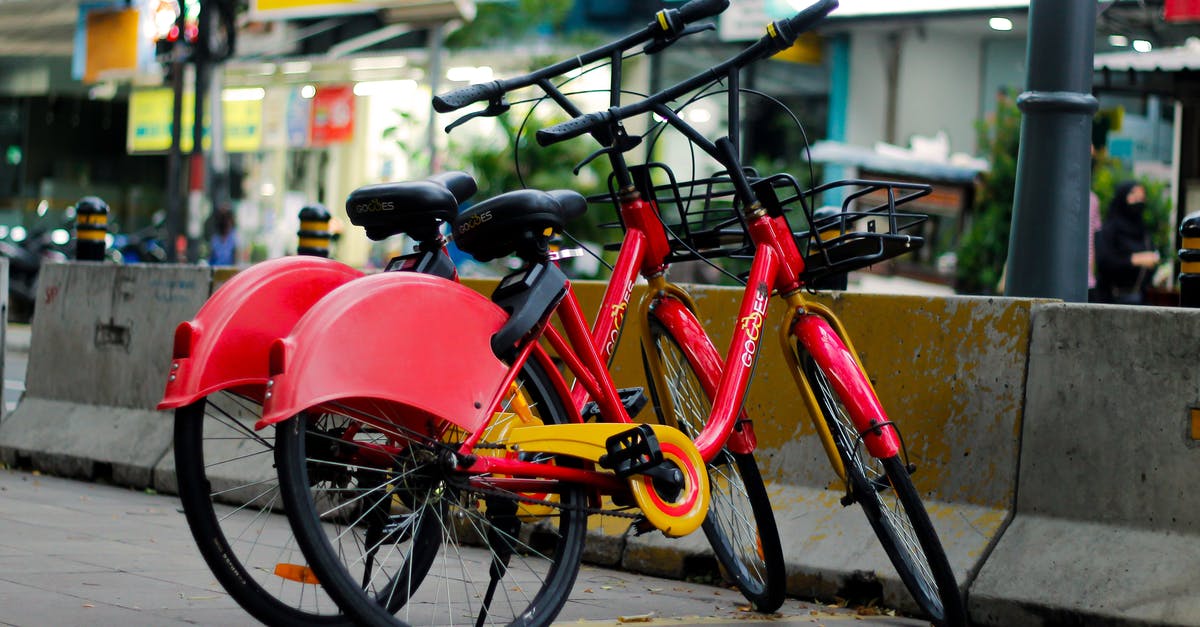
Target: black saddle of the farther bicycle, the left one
x=415, y=208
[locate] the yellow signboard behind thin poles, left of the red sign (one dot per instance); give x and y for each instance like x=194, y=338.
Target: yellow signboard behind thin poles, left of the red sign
x=151, y=116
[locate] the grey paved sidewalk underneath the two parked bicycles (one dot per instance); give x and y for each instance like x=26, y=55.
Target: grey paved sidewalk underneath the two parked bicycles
x=76, y=553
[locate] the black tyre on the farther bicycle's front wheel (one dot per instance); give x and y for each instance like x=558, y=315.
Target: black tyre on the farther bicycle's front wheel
x=765, y=596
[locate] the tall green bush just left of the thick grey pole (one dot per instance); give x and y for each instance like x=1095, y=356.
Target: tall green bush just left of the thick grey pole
x=985, y=248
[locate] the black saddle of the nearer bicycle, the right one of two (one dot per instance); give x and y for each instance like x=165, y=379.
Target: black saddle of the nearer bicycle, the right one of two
x=517, y=223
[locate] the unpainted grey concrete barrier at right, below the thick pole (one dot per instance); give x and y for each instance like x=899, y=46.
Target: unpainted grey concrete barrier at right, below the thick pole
x=1108, y=515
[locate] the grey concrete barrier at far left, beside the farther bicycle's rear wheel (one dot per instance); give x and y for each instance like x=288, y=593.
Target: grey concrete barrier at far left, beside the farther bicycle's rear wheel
x=101, y=349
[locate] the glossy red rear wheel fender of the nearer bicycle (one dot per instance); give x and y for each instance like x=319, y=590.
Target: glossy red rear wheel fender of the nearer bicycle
x=398, y=347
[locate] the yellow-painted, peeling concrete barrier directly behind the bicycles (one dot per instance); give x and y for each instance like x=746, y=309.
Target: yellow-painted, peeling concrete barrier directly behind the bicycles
x=951, y=373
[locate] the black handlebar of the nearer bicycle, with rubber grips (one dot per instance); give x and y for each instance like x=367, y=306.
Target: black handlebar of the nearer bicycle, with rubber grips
x=779, y=37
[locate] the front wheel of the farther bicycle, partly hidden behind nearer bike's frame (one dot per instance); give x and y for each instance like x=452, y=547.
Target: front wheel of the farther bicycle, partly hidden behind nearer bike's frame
x=741, y=523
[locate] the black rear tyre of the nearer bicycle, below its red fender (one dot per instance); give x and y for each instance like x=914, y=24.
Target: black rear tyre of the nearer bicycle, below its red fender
x=547, y=604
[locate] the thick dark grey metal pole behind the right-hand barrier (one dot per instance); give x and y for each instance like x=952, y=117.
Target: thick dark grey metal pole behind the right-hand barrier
x=1048, y=244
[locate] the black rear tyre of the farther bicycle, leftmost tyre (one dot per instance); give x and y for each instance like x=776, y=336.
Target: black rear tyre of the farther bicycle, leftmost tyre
x=227, y=568
